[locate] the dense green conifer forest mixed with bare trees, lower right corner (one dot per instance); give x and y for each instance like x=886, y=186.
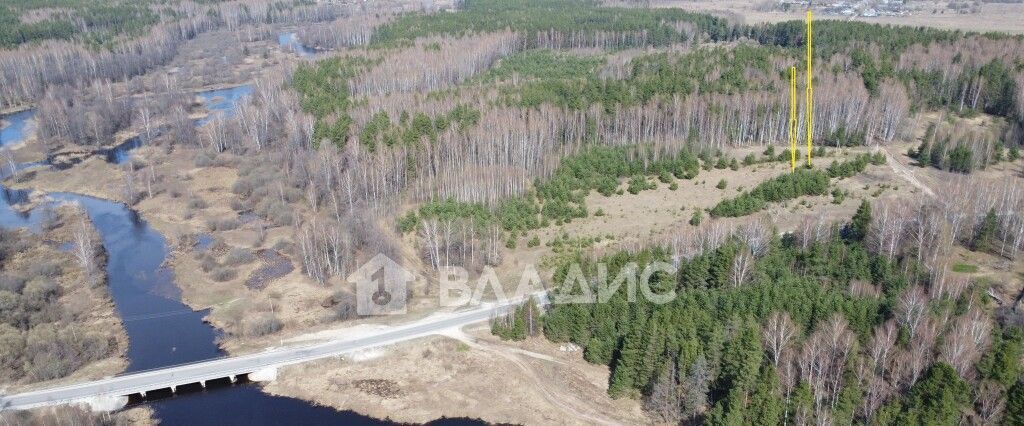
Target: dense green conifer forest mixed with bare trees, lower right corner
x=769, y=330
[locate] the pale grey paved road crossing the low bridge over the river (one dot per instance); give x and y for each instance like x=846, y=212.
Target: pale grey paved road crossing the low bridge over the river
x=222, y=368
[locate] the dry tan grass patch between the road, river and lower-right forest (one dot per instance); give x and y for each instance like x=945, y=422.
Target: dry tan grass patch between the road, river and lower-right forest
x=531, y=382
